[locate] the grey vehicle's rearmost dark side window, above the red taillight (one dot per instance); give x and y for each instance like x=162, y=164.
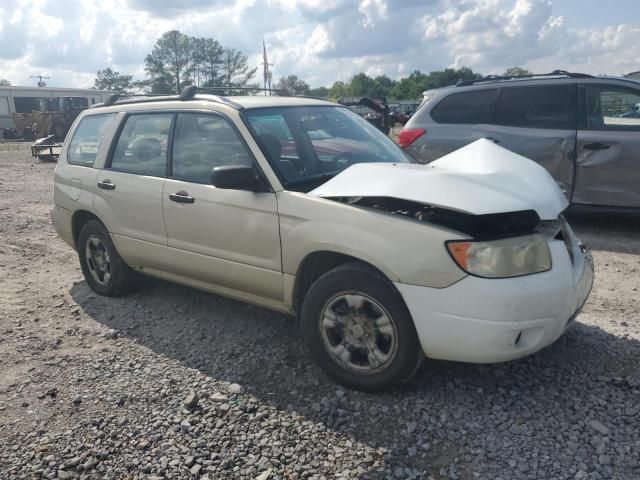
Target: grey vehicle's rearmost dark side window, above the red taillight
x=465, y=107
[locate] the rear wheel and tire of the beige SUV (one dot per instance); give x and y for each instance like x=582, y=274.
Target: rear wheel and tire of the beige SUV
x=120, y=279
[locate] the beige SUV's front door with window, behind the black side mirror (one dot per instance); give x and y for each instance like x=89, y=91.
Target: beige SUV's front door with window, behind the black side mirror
x=229, y=238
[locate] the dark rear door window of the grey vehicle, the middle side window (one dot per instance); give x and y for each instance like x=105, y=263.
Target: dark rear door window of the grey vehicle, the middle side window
x=537, y=107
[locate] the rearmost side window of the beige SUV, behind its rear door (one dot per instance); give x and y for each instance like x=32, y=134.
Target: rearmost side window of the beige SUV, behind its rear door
x=85, y=144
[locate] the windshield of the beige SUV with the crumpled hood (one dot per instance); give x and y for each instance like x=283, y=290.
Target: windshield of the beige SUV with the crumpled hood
x=306, y=146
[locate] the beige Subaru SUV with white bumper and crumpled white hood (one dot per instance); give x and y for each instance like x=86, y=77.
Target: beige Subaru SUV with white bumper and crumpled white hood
x=301, y=206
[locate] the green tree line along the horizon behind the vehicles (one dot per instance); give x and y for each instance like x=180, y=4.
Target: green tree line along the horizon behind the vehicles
x=178, y=60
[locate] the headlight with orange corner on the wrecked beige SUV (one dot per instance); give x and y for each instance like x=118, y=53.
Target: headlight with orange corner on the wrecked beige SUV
x=507, y=257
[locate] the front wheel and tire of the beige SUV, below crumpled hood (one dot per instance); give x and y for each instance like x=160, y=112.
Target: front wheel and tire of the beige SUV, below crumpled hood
x=397, y=351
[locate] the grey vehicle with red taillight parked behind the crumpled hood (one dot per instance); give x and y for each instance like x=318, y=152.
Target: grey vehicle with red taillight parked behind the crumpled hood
x=584, y=130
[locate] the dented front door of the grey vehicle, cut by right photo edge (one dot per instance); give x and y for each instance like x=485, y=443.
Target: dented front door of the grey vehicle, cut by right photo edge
x=608, y=164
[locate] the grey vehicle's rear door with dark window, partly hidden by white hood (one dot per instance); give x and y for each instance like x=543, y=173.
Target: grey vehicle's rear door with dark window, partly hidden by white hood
x=539, y=122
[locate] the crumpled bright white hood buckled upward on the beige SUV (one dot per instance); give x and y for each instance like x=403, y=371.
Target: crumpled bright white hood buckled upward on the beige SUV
x=480, y=178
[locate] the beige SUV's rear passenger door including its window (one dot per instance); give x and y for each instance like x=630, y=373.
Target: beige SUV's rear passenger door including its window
x=129, y=189
